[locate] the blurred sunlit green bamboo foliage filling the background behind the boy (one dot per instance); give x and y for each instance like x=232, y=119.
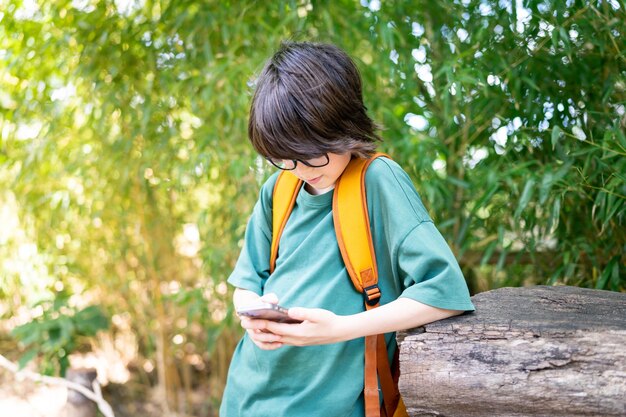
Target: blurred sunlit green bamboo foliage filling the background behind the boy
x=123, y=148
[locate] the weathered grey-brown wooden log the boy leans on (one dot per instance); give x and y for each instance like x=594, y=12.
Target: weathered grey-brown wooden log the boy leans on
x=537, y=351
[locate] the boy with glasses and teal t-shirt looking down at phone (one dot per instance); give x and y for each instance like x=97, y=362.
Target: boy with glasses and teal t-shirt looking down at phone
x=307, y=116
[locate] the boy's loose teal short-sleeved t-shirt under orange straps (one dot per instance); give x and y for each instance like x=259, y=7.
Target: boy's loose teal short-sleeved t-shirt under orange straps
x=413, y=261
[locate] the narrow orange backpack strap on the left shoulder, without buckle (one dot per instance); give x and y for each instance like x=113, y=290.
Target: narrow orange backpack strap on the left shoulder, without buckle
x=283, y=199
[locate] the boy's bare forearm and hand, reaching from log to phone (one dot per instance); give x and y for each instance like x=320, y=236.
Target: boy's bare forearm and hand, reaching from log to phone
x=322, y=326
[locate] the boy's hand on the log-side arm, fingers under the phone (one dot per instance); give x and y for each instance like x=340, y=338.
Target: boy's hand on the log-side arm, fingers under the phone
x=319, y=327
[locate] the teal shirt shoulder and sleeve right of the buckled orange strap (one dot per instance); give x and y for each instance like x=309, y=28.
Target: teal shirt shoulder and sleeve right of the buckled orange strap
x=423, y=264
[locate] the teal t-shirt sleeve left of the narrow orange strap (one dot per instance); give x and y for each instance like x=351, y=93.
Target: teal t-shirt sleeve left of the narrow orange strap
x=253, y=265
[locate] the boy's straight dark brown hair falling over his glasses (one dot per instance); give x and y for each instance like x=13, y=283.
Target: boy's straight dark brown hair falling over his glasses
x=308, y=102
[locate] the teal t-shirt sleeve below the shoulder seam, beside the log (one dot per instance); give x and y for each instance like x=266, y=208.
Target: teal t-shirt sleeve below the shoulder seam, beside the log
x=430, y=271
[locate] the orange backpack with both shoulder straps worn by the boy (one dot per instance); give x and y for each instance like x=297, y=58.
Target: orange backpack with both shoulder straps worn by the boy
x=352, y=227
